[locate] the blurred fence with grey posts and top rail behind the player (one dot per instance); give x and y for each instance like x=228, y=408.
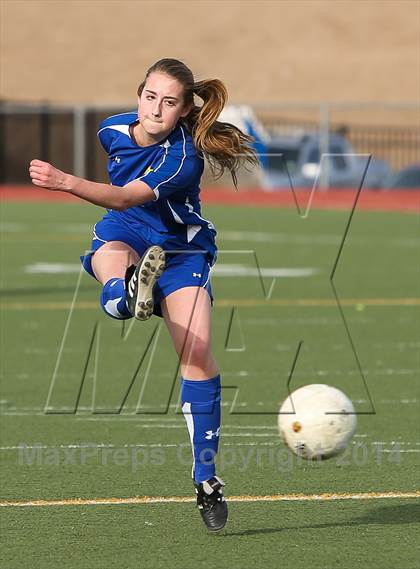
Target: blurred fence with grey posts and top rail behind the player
x=66, y=135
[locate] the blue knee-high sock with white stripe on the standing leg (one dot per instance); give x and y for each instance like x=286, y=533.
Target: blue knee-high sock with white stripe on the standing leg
x=201, y=409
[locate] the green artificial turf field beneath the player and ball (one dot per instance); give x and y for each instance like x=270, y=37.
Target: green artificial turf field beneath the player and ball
x=82, y=364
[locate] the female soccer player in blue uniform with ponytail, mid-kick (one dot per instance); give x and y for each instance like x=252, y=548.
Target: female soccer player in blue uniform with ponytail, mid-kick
x=153, y=251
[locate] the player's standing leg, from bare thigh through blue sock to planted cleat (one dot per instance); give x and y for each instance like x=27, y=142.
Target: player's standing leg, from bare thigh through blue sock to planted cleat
x=187, y=313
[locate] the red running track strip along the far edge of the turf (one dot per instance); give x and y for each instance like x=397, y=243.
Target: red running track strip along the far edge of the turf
x=375, y=200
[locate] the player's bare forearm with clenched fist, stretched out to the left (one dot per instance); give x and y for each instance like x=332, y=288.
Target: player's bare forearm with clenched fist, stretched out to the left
x=47, y=176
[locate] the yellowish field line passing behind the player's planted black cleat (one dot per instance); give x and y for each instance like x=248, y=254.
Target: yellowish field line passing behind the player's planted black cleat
x=141, y=500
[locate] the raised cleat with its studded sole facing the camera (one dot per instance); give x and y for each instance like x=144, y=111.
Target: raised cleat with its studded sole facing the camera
x=141, y=279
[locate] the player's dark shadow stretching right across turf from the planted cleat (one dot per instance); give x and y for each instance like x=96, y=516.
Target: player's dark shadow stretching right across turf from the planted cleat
x=384, y=515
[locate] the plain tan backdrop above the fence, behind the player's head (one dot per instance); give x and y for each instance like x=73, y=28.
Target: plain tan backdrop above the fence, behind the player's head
x=97, y=51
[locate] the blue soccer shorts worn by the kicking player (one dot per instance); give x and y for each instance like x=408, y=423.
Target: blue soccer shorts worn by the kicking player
x=184, y=267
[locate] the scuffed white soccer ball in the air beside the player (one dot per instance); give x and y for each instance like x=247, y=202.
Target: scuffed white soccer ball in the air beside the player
x=317, y=421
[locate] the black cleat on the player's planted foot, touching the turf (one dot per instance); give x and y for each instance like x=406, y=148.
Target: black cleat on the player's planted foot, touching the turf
x=211, y=503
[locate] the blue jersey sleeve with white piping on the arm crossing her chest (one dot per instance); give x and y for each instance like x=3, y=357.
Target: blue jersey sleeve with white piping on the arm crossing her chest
x=175, y=172
